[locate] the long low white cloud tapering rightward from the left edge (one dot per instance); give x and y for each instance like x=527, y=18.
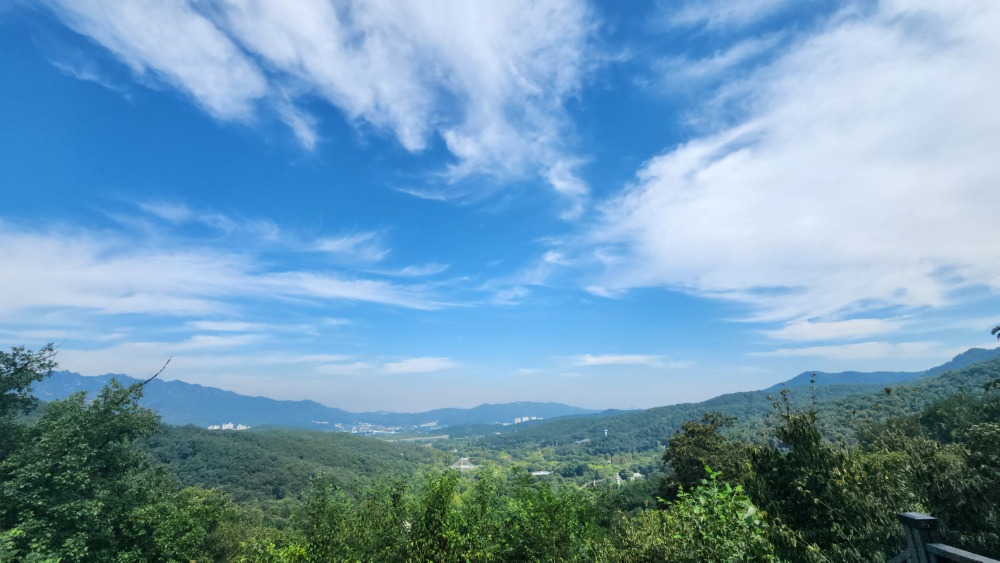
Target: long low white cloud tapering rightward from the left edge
x=111, y=274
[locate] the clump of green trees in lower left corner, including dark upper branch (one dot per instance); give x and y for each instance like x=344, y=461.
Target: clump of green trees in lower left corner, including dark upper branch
x=75, y=486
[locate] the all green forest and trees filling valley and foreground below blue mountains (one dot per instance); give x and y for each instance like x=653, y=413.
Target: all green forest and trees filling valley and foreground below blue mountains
x=803, y=474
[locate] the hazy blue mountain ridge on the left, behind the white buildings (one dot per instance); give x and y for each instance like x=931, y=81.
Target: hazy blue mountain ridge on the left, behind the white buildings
x=180, y=403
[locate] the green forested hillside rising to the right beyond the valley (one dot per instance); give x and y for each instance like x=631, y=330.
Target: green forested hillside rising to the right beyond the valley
x=840, y=407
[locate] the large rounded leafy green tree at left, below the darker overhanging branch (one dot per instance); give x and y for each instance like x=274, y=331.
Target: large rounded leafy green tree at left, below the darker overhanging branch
x=70, y=484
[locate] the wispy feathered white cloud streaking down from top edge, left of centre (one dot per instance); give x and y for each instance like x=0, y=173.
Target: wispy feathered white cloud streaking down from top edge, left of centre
x=489, y=78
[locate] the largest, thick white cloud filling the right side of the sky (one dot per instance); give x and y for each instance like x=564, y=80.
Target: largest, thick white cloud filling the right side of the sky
x=863, y=176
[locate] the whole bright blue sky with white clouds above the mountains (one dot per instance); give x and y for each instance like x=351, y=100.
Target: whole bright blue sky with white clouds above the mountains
x=408, y=205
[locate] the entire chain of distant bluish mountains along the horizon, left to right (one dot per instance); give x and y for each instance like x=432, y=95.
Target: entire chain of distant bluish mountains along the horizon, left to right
x=181, y=403
